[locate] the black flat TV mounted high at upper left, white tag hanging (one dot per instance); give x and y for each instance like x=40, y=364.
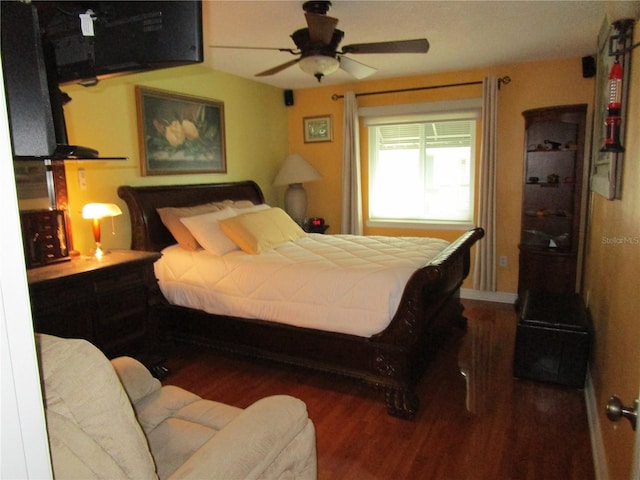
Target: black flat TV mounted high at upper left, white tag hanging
x=95, y=40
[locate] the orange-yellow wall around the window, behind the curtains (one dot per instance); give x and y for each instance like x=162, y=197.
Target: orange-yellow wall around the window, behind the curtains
x=533, y=85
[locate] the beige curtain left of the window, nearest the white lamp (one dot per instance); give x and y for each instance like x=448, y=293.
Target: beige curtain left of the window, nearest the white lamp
x=351, y=184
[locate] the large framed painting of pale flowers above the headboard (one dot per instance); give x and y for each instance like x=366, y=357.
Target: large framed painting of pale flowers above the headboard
x=180, y=134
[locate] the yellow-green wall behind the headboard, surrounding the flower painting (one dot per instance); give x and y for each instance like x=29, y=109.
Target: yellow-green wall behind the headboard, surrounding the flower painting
x=104, y=118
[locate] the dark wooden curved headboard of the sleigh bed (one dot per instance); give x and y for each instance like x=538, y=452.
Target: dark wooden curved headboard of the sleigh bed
x=147, y=230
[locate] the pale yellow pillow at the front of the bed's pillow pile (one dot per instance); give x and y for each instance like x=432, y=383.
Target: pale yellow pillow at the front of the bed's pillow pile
x=263, y=230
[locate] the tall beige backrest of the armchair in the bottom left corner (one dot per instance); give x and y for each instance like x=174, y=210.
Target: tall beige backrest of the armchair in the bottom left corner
x=93, y=431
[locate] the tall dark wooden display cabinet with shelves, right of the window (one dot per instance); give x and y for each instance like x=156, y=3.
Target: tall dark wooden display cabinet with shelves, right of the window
x=552, y=198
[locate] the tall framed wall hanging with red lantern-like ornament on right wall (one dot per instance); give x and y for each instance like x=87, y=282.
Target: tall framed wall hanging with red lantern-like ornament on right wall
x=610, y=108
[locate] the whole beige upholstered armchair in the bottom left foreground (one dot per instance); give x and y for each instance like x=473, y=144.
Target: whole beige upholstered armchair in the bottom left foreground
x=114, y=420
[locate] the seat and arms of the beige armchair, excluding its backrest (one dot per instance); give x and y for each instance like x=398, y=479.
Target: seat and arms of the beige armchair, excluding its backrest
x=194, y=438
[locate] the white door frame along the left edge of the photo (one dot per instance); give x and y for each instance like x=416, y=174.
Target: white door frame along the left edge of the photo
x=25, y=448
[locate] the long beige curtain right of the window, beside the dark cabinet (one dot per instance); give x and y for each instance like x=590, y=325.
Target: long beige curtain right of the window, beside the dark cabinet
x=484, y=271
